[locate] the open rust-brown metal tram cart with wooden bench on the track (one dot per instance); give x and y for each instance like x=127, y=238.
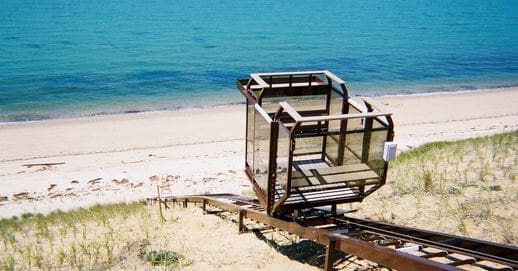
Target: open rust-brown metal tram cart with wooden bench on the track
x=309, y=144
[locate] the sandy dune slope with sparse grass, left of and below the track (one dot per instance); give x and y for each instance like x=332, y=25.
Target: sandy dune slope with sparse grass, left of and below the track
x=133, y=237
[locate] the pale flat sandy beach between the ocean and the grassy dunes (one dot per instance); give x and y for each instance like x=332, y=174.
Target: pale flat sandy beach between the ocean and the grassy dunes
x=70, y=163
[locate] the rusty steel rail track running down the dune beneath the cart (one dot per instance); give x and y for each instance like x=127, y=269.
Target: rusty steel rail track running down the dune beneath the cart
x=392, y=246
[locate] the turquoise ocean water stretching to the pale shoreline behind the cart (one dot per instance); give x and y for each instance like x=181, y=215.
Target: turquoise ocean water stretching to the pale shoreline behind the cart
x=68, y=58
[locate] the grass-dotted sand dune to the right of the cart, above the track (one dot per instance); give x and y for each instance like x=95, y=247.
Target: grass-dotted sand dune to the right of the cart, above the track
x=467, y=187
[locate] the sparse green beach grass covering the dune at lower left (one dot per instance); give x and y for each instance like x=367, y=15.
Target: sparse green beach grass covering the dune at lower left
x=101, y=237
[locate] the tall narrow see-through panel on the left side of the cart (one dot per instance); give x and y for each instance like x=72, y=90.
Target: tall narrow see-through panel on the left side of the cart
x=261, y=151
